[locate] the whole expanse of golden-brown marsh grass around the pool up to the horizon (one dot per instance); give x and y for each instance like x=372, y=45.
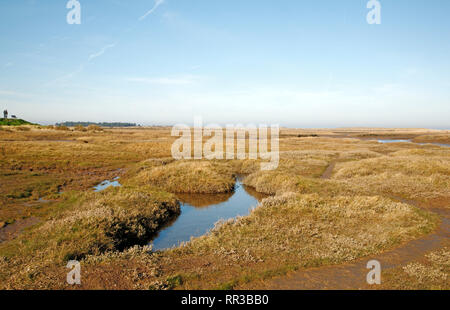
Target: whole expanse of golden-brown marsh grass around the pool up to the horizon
x=310, y=222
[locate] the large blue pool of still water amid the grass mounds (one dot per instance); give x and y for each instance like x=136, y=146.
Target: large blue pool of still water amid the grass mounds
x=199, y=213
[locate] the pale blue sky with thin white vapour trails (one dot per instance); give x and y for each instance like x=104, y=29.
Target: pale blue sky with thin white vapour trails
x=296, y=63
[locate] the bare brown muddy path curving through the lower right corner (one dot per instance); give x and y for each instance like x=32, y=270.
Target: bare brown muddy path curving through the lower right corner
x=352, y=275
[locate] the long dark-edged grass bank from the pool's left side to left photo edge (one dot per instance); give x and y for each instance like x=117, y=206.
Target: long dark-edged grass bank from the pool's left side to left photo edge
x=98, y=223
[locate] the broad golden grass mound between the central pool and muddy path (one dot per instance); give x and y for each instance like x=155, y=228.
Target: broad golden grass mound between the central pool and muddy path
x=285, y=233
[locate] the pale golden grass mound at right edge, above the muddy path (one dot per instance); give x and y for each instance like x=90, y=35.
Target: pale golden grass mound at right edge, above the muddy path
x=412, y=174
